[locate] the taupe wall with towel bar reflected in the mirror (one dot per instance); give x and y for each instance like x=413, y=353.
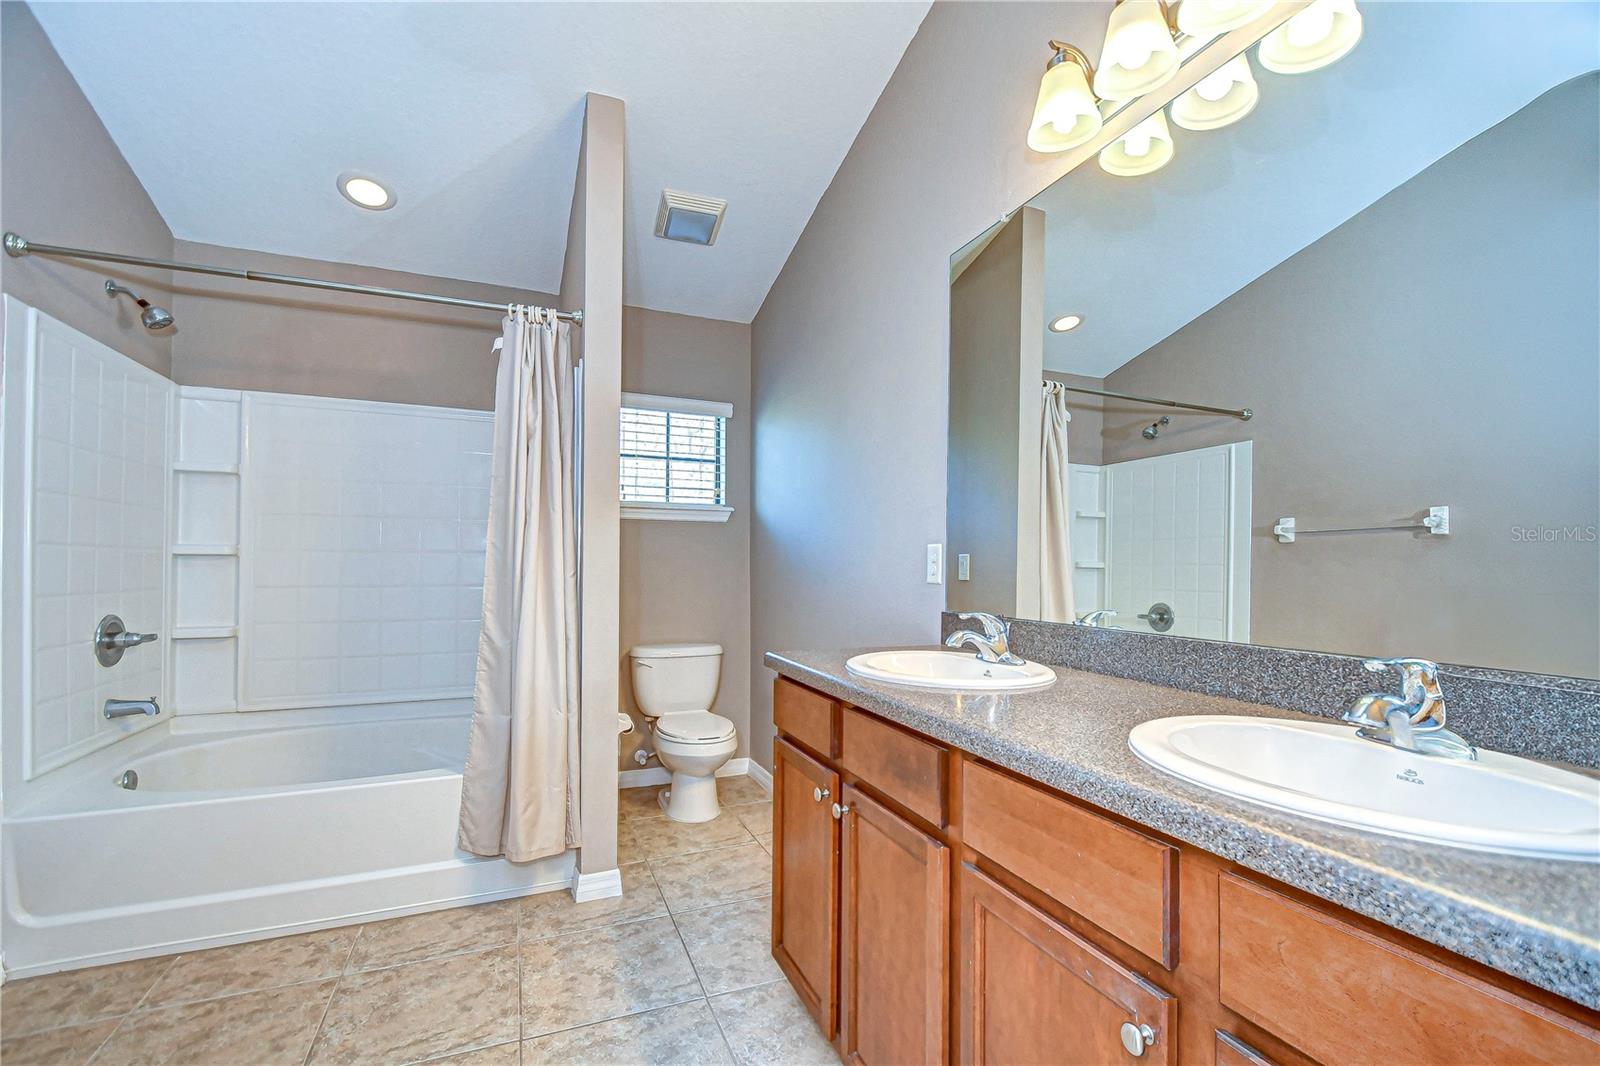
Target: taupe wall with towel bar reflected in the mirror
x=1441, y=348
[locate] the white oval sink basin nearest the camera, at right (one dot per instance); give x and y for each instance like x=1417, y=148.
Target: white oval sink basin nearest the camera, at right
x=1324, y=771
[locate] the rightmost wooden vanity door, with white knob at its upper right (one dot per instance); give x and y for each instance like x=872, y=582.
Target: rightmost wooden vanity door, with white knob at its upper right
x=1034, y=992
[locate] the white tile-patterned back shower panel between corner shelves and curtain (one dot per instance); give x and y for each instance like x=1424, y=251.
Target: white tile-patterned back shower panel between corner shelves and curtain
x=362, y=551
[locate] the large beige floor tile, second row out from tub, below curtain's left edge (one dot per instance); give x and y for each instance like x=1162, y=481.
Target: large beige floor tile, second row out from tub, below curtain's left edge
x=422, y=1011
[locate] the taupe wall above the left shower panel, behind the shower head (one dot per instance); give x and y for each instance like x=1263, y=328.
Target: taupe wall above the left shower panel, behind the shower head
x=63, y=182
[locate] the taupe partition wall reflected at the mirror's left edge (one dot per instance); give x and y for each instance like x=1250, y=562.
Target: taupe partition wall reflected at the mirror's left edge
x=996, y=364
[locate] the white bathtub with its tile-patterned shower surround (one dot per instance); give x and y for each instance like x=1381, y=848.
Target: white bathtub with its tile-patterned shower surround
x=226, y=838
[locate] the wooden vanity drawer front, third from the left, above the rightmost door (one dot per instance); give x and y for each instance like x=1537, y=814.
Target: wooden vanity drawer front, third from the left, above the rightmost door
x=1116, y=878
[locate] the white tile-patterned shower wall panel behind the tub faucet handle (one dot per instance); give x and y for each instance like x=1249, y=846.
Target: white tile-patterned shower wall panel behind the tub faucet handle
x=97, y=542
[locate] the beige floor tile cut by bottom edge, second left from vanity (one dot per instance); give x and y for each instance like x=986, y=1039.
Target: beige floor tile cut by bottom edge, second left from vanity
x=674, y=1035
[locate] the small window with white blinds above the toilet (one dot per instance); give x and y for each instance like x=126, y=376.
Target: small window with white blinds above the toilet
x=674, y=459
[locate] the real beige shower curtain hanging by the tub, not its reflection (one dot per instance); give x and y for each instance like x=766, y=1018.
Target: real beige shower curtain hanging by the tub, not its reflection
x=519, y=795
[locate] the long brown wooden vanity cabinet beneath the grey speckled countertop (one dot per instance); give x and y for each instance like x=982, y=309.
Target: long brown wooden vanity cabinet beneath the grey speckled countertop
x=956, y=912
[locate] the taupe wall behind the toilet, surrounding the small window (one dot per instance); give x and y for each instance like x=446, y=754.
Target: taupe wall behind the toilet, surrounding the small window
x=692, y=580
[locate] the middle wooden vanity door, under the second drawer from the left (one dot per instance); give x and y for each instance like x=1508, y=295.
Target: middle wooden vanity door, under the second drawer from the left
x=895, y=939
